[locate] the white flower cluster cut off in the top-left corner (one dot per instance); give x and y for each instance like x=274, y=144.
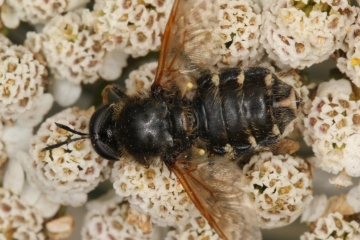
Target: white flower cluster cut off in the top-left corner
x=36, y=11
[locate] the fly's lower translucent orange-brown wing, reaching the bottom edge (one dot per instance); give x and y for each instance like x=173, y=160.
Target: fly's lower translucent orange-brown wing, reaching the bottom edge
x=215, y=184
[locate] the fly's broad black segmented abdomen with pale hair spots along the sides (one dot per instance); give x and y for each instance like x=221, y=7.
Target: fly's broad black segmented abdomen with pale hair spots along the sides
x=240, y=108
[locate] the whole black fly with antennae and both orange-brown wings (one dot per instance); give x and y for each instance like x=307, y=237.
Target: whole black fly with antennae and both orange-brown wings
x=231, y=114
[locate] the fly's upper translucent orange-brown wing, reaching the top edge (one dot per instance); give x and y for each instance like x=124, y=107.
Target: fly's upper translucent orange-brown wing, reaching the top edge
x=188, y=44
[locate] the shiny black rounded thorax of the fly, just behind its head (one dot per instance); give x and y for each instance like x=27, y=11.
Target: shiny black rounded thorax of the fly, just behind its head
x=144, y=128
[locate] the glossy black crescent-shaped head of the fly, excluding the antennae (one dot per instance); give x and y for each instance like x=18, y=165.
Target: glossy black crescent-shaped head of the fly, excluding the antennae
x=101, y=134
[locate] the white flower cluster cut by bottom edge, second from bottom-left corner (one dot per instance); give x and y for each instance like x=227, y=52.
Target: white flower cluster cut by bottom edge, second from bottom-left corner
x=109, y=217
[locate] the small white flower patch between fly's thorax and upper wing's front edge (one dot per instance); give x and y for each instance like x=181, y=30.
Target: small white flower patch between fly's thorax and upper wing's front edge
x=140, y=80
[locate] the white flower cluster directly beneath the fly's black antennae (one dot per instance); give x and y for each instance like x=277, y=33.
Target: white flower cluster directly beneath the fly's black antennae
x=67, y=173
